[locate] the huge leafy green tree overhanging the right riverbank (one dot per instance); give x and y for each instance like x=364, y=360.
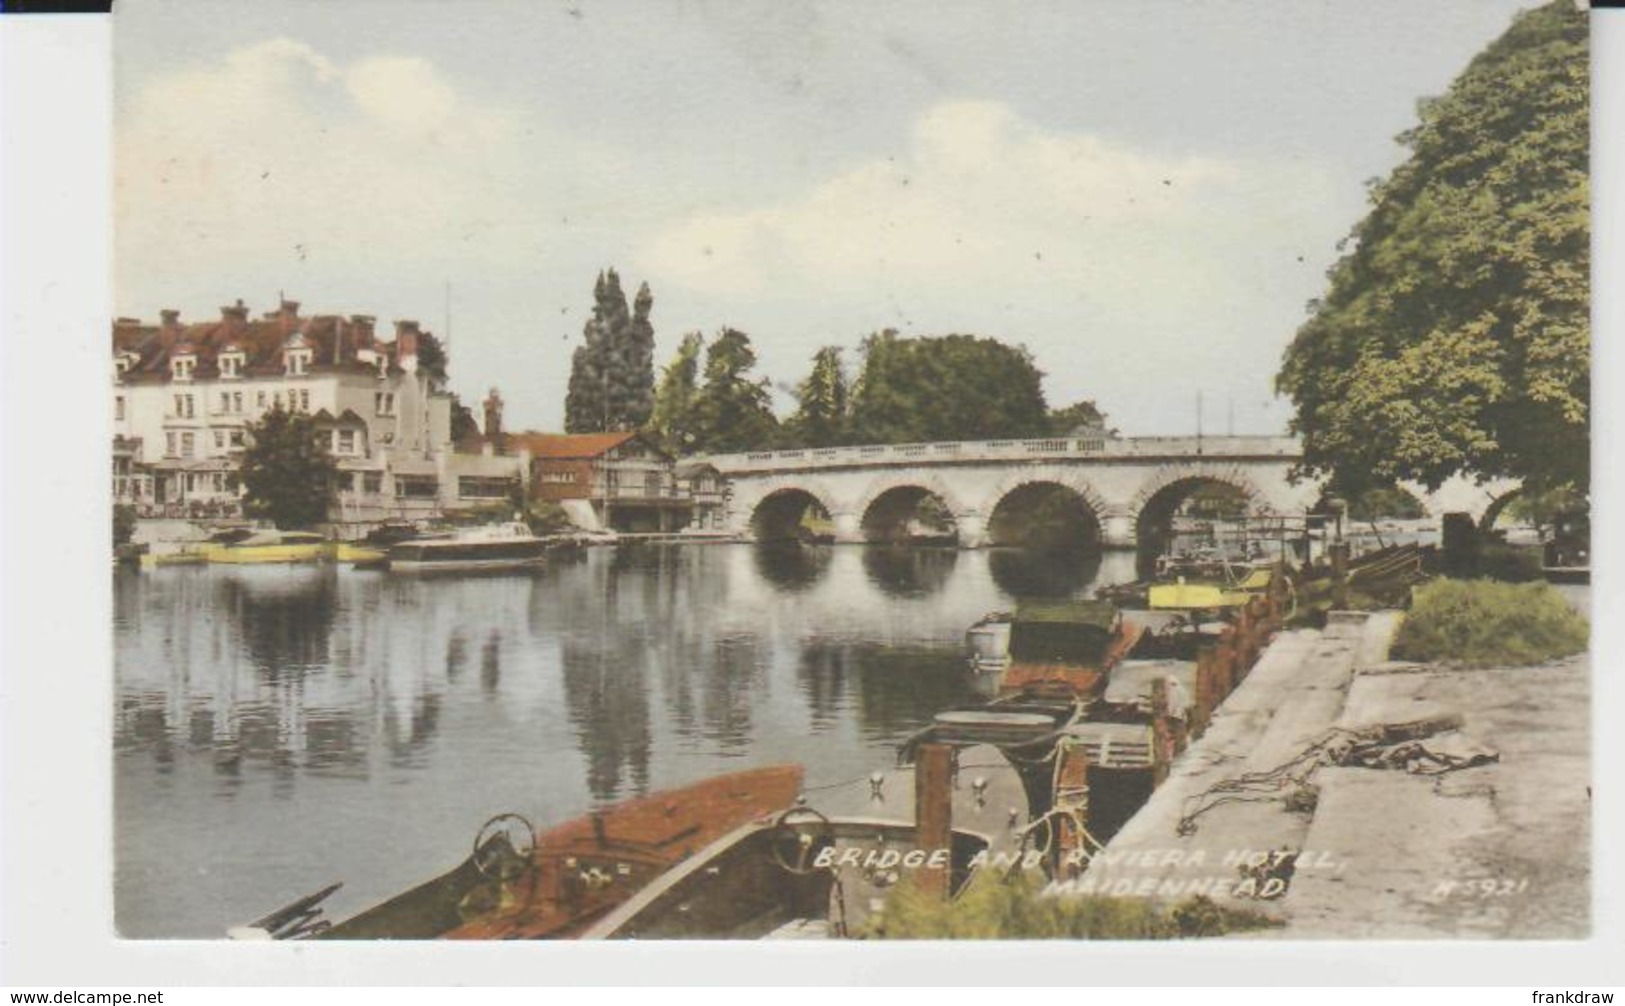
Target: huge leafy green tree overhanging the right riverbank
x=1455, y=334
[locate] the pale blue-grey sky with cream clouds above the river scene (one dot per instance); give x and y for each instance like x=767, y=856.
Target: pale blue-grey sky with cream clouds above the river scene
x=1145, y=194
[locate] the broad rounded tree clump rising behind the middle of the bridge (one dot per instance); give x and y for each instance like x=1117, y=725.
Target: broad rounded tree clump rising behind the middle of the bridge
x=956, y=388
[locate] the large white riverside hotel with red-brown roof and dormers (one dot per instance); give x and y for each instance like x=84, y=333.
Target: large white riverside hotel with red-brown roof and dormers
x=186, y=392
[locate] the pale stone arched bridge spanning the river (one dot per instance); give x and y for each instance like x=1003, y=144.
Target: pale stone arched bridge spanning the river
x=1124, y=487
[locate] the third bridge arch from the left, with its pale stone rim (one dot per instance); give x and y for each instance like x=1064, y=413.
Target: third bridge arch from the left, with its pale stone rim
x=1072, y=510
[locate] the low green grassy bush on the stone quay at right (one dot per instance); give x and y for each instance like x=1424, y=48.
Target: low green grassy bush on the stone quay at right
x=1484, y=623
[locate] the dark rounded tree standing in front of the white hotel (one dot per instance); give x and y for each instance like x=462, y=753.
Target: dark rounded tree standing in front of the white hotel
x=288, y=477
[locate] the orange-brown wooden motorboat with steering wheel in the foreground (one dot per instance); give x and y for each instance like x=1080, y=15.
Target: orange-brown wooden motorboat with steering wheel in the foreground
x=518, y=885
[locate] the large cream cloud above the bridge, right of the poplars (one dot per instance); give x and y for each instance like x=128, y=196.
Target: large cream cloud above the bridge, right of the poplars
x=1114, y=264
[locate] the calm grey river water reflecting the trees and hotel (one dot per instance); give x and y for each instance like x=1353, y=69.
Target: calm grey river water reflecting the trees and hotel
x=280, y=729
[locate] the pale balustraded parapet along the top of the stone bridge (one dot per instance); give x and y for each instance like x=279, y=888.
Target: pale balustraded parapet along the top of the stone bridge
x=1005, y=451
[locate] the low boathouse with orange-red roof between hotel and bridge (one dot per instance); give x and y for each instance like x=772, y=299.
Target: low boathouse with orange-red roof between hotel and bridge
x=623, y=480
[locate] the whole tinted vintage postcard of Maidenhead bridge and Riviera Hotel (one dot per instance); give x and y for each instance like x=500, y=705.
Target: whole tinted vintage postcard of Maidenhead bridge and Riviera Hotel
x=607, y=470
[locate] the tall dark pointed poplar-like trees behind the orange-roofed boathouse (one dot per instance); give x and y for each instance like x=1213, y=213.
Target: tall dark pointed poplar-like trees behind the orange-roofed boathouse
x=613, y=370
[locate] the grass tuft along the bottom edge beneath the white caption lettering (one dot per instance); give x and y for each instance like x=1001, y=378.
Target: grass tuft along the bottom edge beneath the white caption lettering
x=994, y=908
